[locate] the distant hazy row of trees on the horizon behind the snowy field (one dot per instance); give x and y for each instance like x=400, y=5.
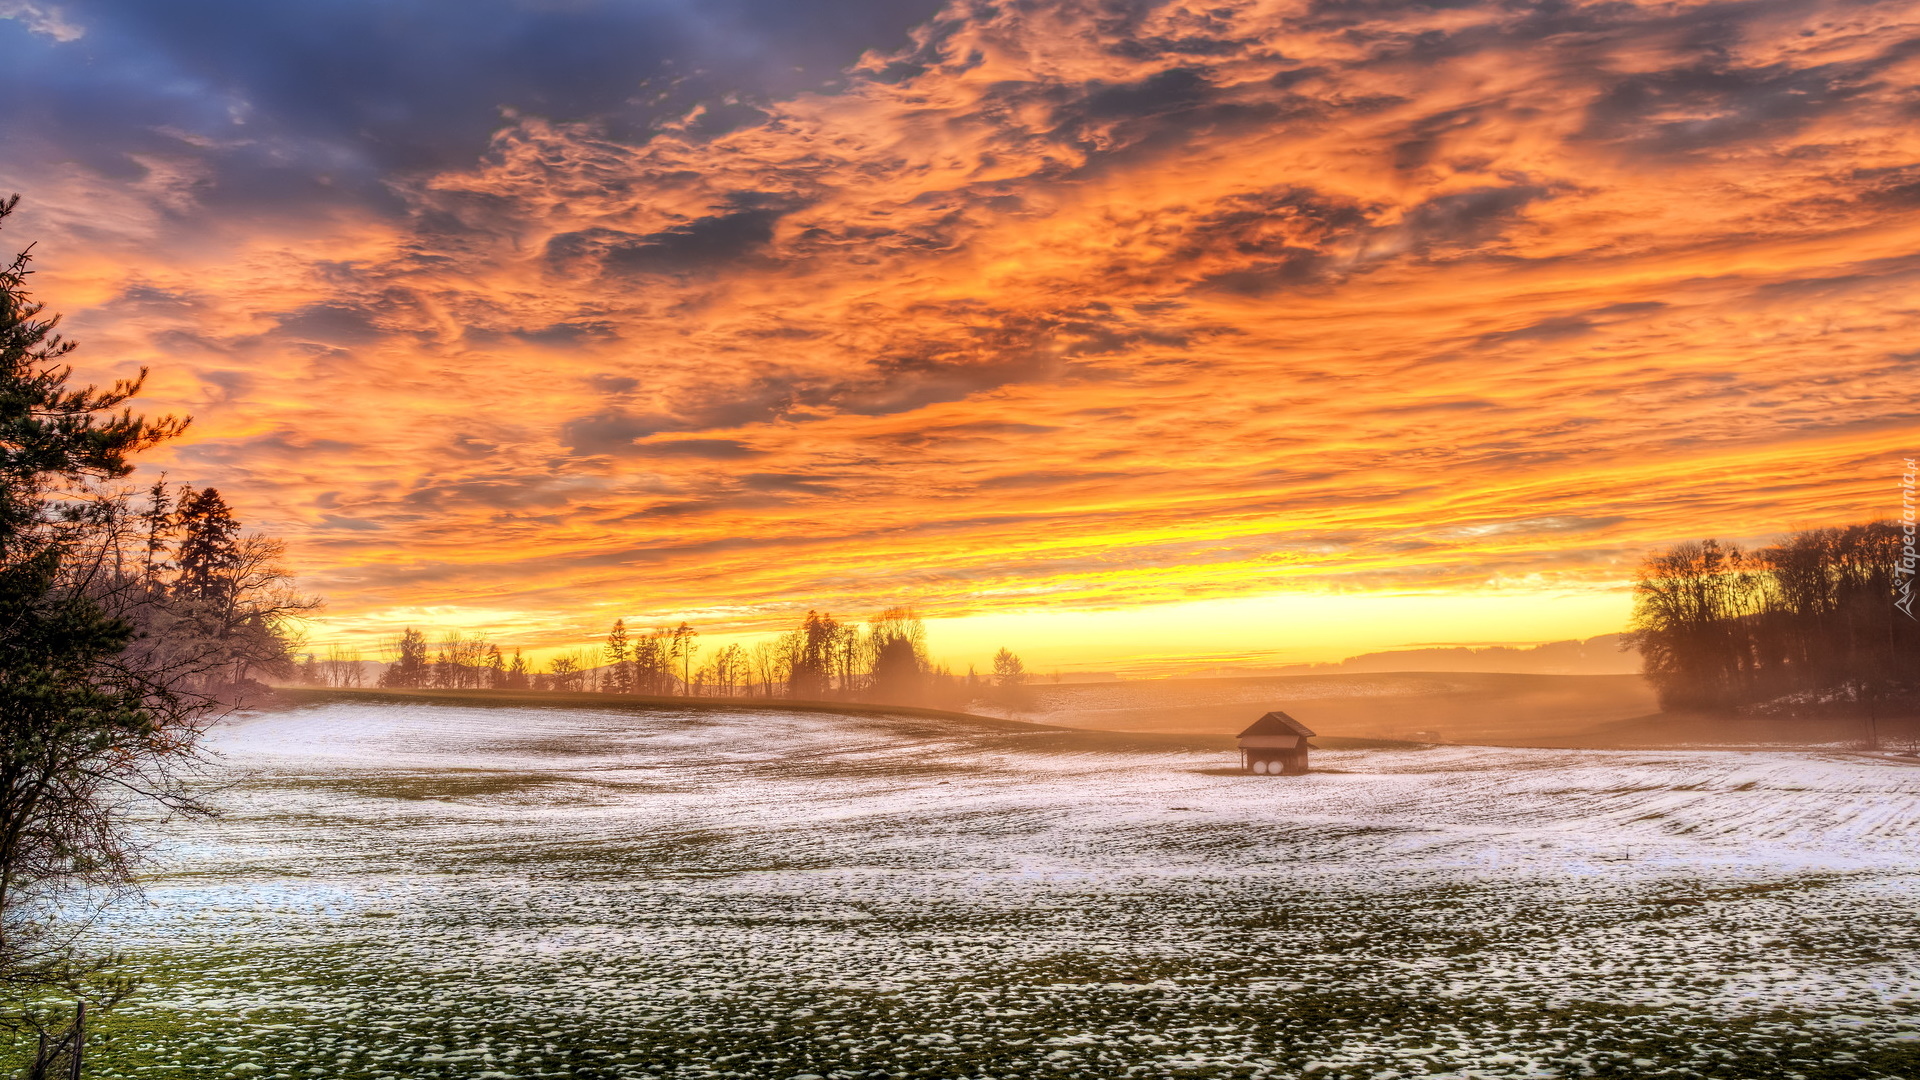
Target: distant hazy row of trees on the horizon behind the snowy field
x=823, y=658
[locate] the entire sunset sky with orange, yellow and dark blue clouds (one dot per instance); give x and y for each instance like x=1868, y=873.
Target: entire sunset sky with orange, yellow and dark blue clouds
x=1126, y=335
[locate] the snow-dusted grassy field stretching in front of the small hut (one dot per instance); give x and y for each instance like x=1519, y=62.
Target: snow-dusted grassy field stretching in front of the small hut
x=441, y=891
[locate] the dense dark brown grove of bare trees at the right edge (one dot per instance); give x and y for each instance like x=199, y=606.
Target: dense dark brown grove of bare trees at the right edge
x=1804, y=627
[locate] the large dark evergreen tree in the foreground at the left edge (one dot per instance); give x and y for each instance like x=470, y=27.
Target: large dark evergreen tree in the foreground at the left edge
x=80, y=729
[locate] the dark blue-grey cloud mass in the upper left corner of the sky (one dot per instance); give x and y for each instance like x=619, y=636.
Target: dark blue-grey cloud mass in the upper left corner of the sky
x=327, y=99
